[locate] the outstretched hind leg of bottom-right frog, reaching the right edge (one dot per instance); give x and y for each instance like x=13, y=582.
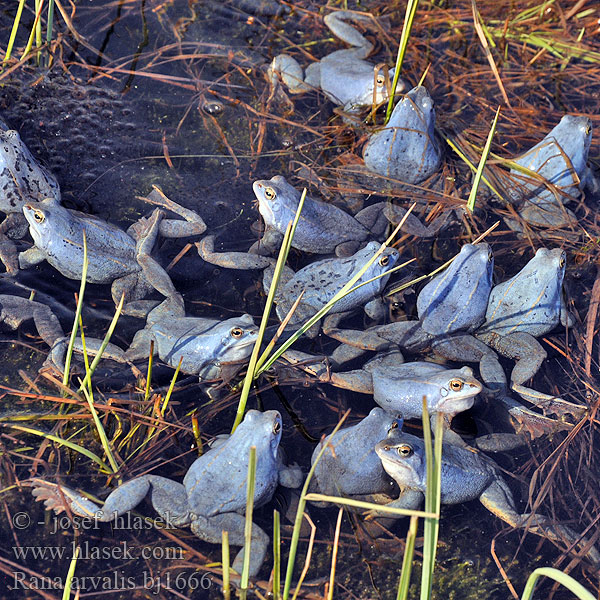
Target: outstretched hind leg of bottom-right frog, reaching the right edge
x=497, y=498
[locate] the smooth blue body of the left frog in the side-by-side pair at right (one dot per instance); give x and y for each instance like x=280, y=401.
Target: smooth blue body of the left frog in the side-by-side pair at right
x=457, y=298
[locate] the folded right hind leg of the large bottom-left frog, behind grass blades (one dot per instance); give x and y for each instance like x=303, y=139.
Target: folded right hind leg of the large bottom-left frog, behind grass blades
x=210, y=530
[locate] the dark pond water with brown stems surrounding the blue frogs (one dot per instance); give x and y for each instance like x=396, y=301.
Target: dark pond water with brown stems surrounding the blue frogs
x=133, y=107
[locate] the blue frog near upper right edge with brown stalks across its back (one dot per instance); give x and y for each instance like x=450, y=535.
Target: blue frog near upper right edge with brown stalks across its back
x=561, y=159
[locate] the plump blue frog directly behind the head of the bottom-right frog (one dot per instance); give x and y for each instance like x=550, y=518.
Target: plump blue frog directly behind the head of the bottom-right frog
x=349, y=466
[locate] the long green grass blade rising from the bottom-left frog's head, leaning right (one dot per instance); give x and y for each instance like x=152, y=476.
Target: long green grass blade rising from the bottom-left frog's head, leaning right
x=251, y=374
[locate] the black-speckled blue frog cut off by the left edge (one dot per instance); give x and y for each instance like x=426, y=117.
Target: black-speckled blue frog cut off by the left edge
x=22, y=178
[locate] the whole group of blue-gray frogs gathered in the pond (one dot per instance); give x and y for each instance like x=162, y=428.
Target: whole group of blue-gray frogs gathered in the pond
x=462, y=317
